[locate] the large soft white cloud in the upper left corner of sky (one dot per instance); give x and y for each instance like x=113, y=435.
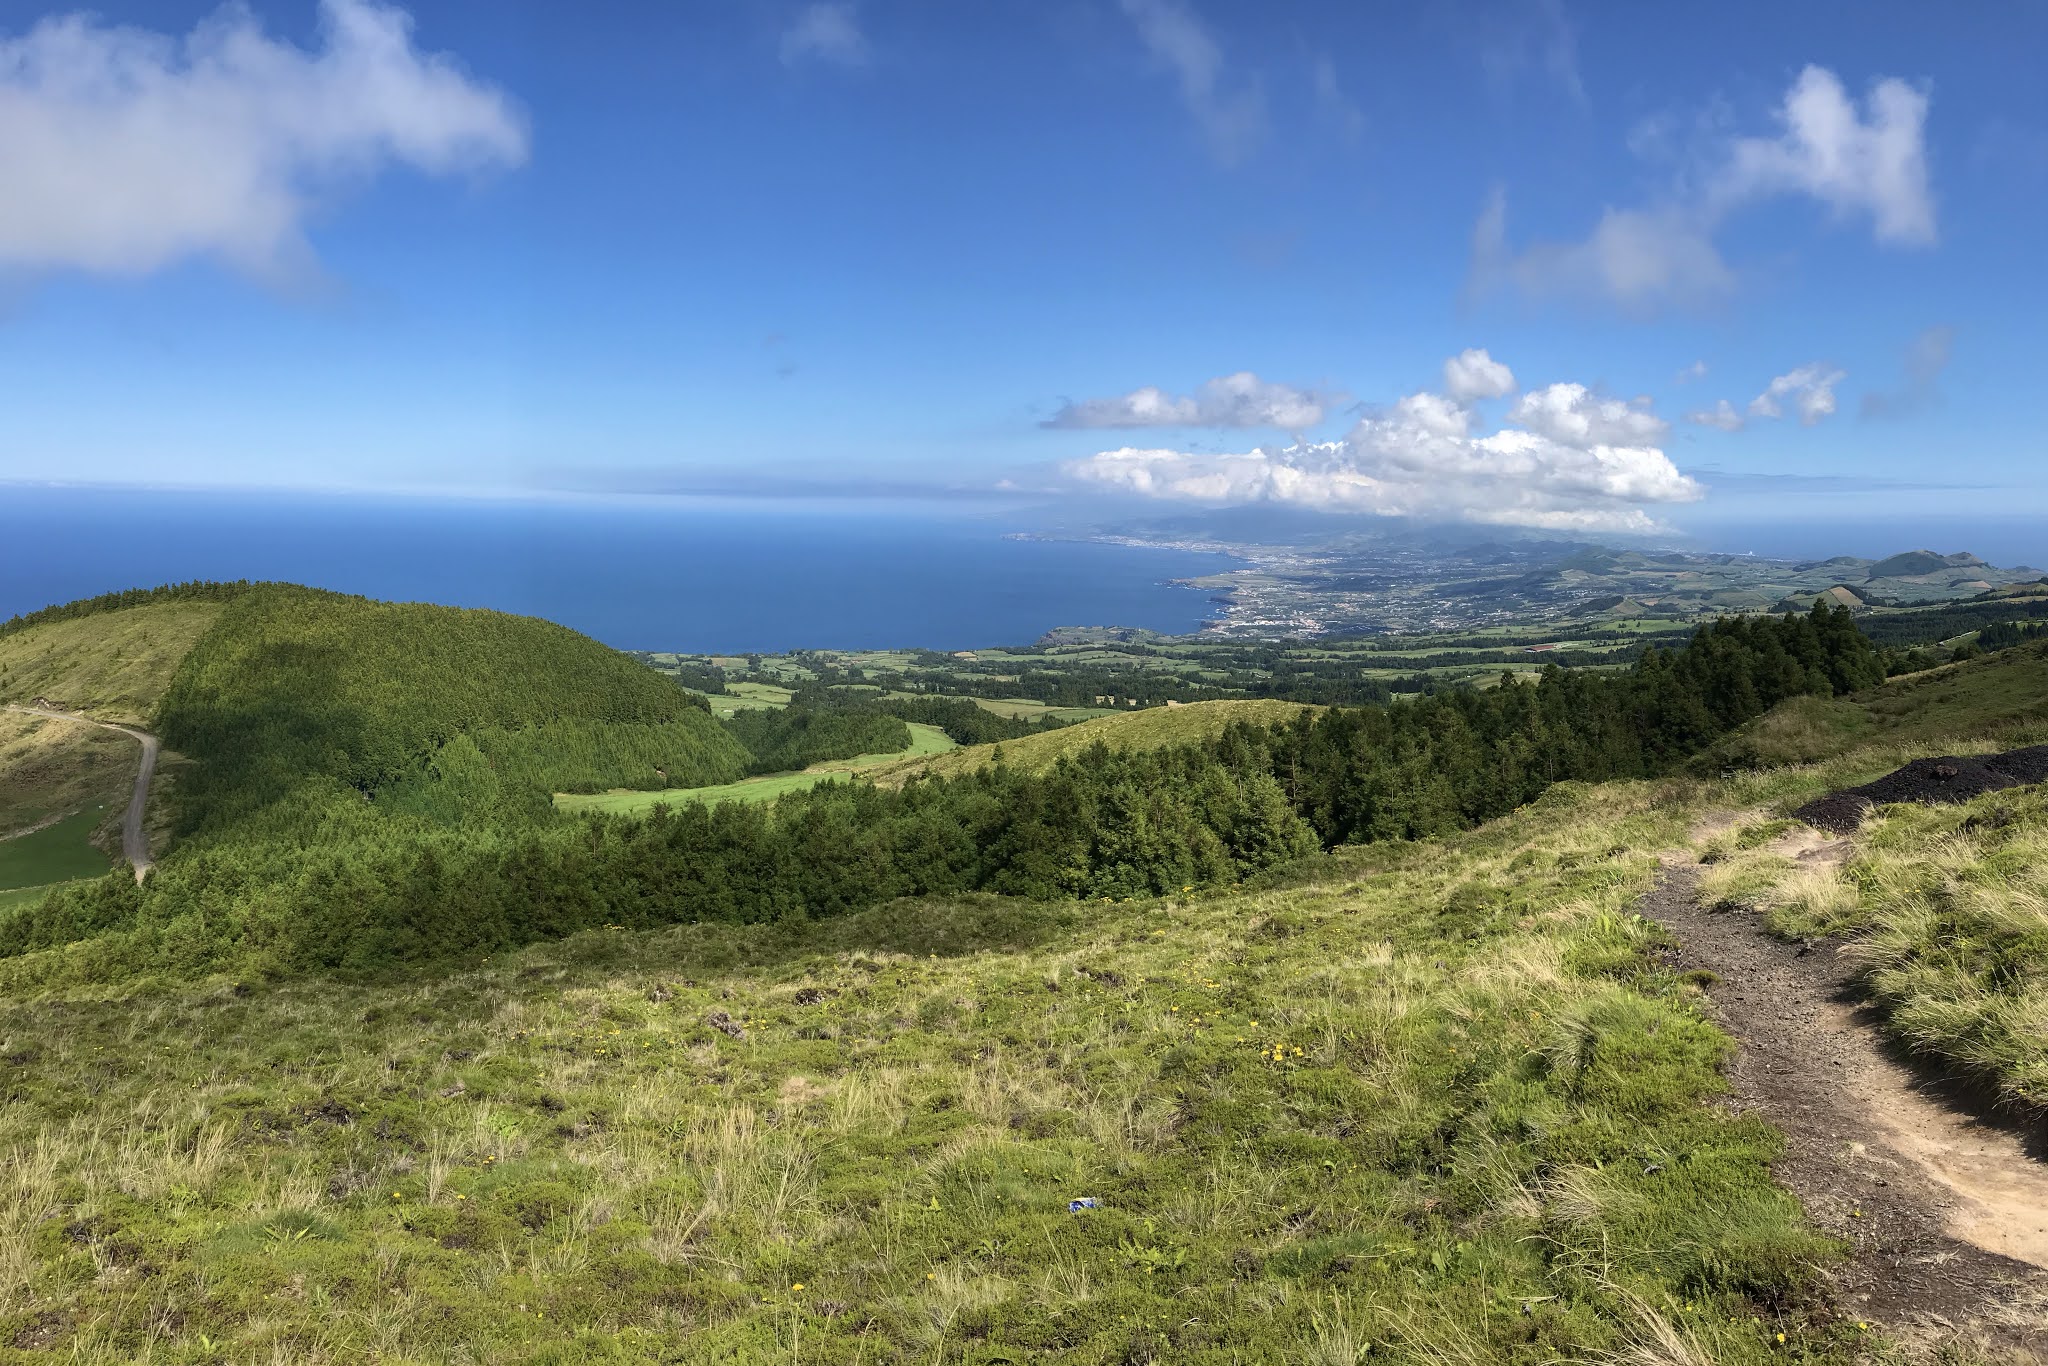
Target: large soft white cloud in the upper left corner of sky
x=126, y=151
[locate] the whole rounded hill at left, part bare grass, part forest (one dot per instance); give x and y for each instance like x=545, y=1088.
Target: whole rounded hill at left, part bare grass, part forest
x=321, y=742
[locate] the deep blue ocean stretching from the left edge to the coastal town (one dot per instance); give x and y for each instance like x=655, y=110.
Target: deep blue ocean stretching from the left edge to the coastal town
x=663, y=574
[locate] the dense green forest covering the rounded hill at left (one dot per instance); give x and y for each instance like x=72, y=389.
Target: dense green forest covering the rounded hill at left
x=298, y=687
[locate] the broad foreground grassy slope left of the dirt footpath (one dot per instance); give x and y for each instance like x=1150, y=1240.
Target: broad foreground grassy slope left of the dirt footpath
x=1433, y=1099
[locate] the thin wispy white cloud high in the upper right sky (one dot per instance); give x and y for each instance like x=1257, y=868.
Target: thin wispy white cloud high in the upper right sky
x=1863, y=163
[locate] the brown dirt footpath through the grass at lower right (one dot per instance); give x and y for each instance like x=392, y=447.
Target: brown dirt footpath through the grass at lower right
x=1947, y=1207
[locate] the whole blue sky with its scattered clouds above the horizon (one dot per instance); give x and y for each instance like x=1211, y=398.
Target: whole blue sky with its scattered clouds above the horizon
x=744, y=245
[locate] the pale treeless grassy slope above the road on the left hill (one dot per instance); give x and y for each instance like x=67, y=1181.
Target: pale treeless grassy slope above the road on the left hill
x=112, y=667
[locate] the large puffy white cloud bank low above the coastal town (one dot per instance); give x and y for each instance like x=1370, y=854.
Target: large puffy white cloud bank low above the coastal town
x=1582, y=470
